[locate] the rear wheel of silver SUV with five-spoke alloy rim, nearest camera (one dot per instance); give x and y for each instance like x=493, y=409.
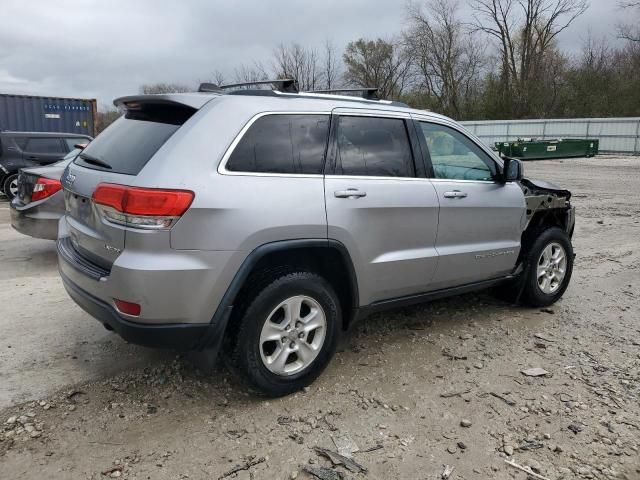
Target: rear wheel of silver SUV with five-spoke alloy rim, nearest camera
x=287, y=334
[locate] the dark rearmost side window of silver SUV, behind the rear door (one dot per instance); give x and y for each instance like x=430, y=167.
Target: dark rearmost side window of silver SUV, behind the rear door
x=282, y=144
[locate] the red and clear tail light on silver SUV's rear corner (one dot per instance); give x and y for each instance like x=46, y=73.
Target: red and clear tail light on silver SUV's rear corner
x=147, y=208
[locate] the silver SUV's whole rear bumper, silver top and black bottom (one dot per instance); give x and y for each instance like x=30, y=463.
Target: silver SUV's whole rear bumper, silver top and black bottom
x=178, y=291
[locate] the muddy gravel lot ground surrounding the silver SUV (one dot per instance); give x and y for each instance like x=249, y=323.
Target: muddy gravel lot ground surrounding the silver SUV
x=414, y=393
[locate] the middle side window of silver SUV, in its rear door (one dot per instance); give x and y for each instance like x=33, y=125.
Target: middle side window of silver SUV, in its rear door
x=371, y=146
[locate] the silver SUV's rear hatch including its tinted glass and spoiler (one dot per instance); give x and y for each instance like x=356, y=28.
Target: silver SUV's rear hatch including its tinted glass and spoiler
x=117, y=156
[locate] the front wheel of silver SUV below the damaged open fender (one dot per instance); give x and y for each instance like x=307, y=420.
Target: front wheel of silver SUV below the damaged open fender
x=548, y=268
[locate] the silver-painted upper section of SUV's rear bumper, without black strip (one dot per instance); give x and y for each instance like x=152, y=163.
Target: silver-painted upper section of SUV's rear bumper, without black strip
x=172, y=287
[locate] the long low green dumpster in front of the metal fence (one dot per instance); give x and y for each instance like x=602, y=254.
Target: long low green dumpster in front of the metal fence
x=539, y=149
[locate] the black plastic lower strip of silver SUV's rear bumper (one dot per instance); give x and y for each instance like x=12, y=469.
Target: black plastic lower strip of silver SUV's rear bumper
x=179, y=336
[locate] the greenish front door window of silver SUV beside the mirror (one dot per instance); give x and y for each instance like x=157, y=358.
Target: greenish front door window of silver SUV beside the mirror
x=454, y=156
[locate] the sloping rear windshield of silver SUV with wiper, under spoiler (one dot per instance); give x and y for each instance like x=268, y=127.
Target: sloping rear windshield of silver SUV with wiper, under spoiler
x=129, y=143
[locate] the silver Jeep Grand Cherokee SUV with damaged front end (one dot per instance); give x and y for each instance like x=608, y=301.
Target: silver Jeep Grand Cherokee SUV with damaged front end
x=268, y=222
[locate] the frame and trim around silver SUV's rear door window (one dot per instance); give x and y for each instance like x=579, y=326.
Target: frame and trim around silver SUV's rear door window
x=414, y=147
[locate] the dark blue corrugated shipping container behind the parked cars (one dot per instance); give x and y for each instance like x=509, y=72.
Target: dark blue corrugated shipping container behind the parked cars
x=24, y=113
